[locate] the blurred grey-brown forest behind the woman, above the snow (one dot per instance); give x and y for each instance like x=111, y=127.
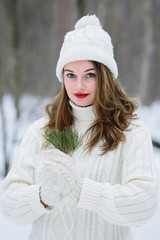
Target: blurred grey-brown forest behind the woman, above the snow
x=31, y=34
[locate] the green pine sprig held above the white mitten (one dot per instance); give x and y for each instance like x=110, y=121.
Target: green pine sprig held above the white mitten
x=66, y=140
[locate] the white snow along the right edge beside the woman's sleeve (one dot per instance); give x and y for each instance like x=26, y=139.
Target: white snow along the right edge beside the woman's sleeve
x=151, y=117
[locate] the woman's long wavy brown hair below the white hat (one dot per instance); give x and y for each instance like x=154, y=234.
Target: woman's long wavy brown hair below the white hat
x=113, y=108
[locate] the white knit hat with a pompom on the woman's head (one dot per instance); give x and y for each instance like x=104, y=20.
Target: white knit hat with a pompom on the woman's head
x=87, y=42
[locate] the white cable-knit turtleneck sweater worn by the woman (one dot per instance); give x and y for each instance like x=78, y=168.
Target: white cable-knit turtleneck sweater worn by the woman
x=119, y=188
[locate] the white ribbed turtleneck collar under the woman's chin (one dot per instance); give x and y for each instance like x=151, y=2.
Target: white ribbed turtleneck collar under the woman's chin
x=83, y=113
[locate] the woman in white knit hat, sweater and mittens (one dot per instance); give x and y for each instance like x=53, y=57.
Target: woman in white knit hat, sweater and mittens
x=108, y=184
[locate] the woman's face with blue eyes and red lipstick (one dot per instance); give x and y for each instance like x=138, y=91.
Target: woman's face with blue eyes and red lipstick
x=80, y=79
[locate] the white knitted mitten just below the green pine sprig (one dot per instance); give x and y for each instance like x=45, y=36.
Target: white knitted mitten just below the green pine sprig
x=57, y=176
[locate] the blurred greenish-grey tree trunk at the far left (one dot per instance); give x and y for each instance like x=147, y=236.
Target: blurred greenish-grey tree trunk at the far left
x=11, y=63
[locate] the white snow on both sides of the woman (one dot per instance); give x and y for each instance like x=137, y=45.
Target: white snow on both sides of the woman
x=32, y=108
